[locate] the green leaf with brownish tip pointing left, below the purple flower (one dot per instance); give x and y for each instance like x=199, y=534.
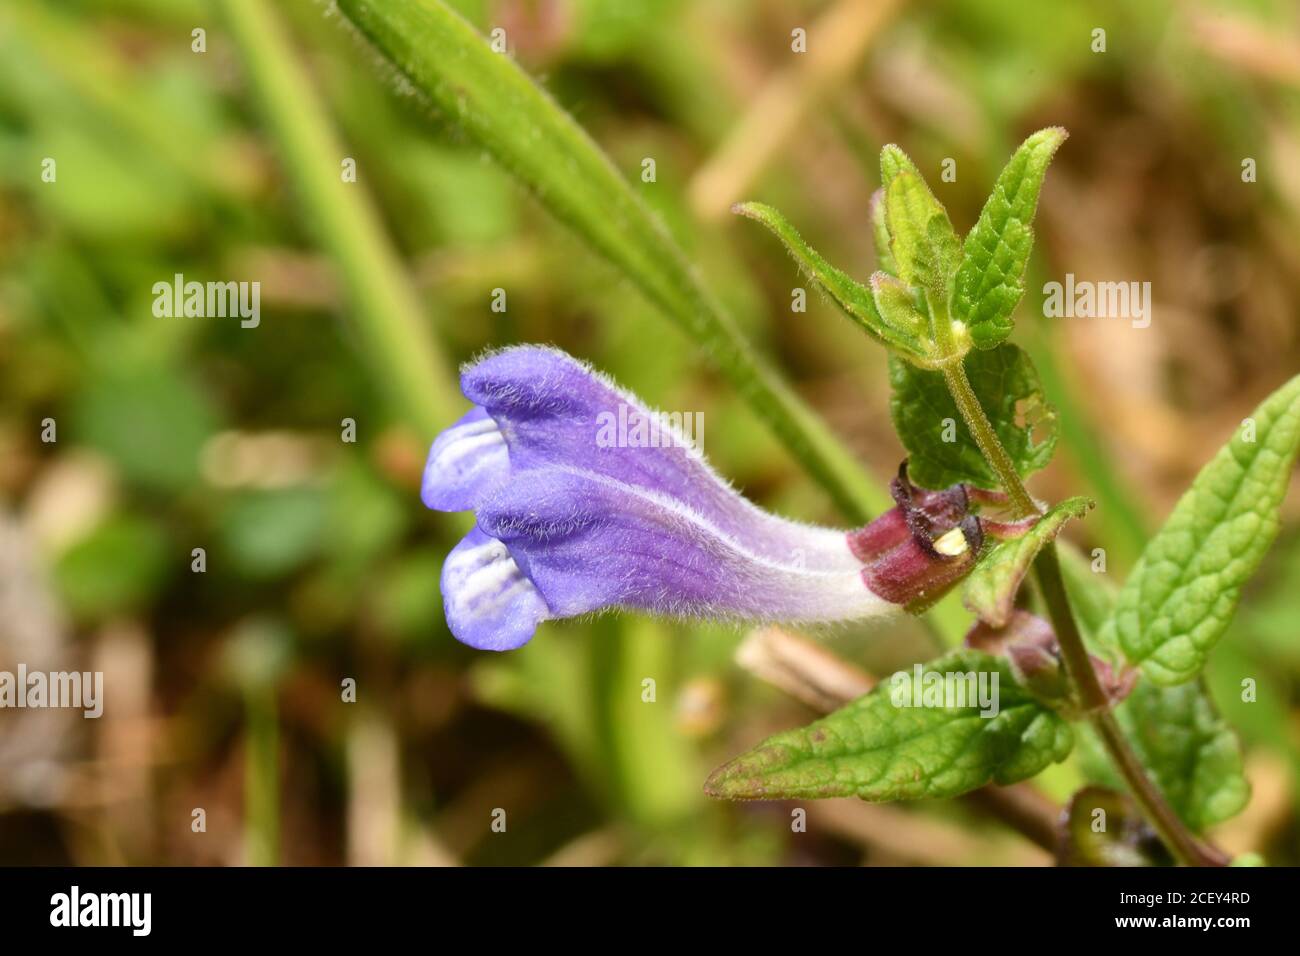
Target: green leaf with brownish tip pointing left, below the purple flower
x=879, y=751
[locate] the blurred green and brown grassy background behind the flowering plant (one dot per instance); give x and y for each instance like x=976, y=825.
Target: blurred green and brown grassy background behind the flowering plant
x=224, y=687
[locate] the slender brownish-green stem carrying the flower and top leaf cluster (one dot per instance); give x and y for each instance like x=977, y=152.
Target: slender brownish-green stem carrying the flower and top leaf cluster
x=1047, y=570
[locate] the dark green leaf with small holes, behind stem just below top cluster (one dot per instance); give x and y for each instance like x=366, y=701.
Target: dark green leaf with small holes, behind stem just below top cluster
x=1008, y=390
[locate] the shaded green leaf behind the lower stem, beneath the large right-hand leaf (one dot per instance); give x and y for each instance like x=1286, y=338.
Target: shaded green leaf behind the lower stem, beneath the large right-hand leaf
x=1189, y=750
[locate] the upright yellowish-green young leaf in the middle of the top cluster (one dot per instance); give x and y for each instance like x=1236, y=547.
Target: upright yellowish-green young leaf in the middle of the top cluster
x=921, y=239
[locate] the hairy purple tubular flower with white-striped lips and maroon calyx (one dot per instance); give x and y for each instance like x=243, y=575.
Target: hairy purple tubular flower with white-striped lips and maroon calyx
x=574, y=518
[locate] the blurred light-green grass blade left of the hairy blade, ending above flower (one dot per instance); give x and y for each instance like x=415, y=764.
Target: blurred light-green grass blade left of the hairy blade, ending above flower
x=384, y=304
